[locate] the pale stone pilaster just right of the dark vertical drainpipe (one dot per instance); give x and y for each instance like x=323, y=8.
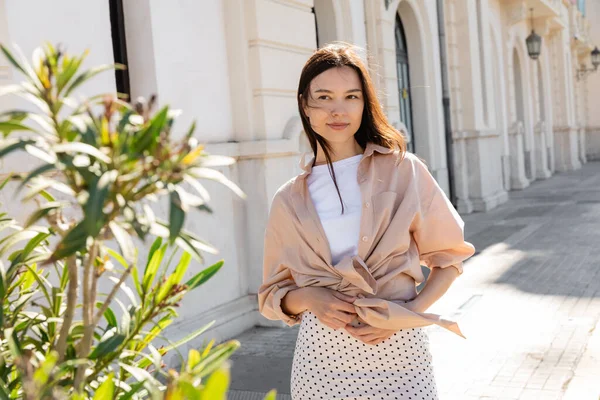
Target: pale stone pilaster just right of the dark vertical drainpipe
x=477, y=136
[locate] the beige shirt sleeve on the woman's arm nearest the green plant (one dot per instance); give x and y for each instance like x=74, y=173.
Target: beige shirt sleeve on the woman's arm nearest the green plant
x=277, y=278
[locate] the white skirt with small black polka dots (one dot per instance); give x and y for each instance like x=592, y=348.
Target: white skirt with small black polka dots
x=332, y=364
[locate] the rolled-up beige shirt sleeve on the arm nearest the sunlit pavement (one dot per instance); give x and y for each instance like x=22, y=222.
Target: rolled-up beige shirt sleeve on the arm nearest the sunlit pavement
x=438, y=230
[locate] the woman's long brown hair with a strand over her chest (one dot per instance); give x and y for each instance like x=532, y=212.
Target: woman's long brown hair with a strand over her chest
x=374, y=127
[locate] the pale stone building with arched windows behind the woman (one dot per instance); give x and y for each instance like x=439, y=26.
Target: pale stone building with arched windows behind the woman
x=458, y=74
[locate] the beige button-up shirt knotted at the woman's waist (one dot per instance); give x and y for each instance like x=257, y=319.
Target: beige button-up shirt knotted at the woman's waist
x=406, y=221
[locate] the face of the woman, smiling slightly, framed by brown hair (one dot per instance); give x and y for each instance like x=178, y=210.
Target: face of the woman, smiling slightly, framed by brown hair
x=335, y=105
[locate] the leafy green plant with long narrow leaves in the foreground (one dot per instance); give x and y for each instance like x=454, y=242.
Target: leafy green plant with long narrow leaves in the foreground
x=101, y=163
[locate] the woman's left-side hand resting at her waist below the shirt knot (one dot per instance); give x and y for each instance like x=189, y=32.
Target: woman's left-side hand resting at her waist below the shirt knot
x=332, y=308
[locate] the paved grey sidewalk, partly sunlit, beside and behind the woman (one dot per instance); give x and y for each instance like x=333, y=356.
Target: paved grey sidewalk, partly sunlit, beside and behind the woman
x=528, y=303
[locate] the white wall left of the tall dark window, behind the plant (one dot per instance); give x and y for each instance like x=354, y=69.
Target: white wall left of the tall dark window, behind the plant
x=78, y=27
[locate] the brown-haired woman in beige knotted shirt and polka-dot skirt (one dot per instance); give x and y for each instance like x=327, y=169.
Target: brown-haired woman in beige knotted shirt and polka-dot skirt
x=345, y=242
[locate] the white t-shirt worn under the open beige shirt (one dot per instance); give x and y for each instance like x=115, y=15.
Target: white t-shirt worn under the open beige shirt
x=342, y=230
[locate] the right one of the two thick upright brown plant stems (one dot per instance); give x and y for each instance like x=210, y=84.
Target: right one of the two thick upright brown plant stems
x=89, y=291
